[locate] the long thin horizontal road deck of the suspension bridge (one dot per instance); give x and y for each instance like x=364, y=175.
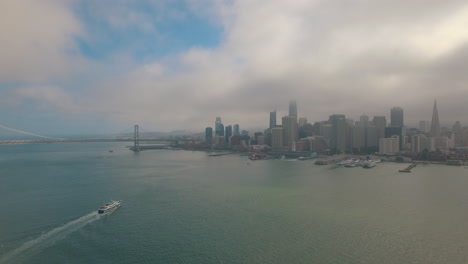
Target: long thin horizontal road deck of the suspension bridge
x=13, y=142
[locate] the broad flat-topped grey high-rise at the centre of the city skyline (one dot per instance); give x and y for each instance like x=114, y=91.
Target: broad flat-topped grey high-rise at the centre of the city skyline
x=338, y=134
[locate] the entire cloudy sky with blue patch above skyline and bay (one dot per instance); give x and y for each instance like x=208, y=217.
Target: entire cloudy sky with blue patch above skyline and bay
x=84, y=66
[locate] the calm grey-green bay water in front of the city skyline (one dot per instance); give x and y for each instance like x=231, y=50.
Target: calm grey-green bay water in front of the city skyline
x=188, y=207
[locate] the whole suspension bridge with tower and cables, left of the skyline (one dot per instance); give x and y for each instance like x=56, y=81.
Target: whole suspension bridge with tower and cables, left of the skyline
x=10, y=136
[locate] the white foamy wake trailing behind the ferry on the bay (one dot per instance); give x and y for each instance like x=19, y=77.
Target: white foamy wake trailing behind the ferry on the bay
x=47, y=239
